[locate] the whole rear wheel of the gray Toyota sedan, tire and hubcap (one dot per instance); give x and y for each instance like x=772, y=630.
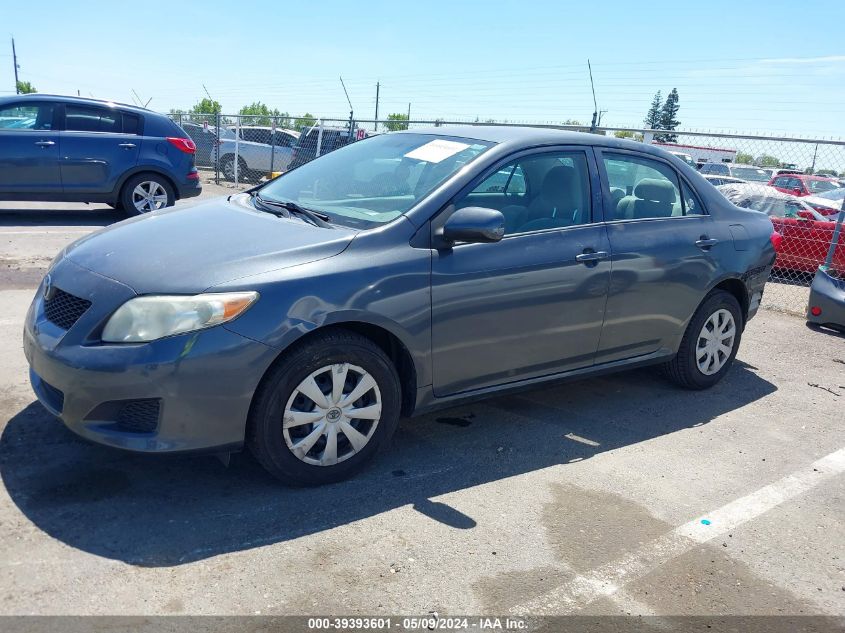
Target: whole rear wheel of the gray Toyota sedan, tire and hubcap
x=710, y=343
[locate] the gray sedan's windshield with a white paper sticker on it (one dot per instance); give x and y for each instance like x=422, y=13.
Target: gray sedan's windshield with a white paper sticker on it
x=376, y=180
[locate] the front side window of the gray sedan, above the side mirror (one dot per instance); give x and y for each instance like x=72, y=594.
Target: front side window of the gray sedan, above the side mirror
x=537, y=192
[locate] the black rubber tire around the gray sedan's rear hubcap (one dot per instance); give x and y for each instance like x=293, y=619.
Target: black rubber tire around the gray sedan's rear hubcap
x=683, y=368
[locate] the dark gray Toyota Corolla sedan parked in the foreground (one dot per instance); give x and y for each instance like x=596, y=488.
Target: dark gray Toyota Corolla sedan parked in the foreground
x=390, y=277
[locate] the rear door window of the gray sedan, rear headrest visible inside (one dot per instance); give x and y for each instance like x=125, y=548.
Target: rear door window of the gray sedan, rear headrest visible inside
x=643, y=188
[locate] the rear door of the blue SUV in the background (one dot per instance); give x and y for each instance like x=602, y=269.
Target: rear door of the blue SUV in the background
x=98, y=145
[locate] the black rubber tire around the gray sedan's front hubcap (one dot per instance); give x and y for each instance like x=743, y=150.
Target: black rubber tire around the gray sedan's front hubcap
x=265, y=437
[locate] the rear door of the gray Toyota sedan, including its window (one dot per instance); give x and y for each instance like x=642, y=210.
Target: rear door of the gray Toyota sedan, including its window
x=665, y=254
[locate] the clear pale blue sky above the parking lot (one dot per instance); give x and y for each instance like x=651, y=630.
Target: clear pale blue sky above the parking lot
x=739, y=66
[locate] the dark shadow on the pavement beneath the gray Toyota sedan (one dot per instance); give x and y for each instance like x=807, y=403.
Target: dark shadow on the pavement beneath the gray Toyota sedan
x=168, y=510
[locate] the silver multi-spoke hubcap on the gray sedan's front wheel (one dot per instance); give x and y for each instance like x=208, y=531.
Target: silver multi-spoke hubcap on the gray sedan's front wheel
x=332, y=414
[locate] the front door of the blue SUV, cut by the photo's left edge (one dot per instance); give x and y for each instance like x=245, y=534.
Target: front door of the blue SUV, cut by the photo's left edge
x=29, y=148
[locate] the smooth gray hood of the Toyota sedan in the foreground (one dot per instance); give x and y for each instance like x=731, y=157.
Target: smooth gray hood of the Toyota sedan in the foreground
x=191, y=249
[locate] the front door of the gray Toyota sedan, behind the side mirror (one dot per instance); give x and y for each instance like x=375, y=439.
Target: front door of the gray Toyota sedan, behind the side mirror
x=533, y=303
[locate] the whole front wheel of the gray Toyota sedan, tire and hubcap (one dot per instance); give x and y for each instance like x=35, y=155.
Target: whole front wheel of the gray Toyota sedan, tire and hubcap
x=323, y=411
